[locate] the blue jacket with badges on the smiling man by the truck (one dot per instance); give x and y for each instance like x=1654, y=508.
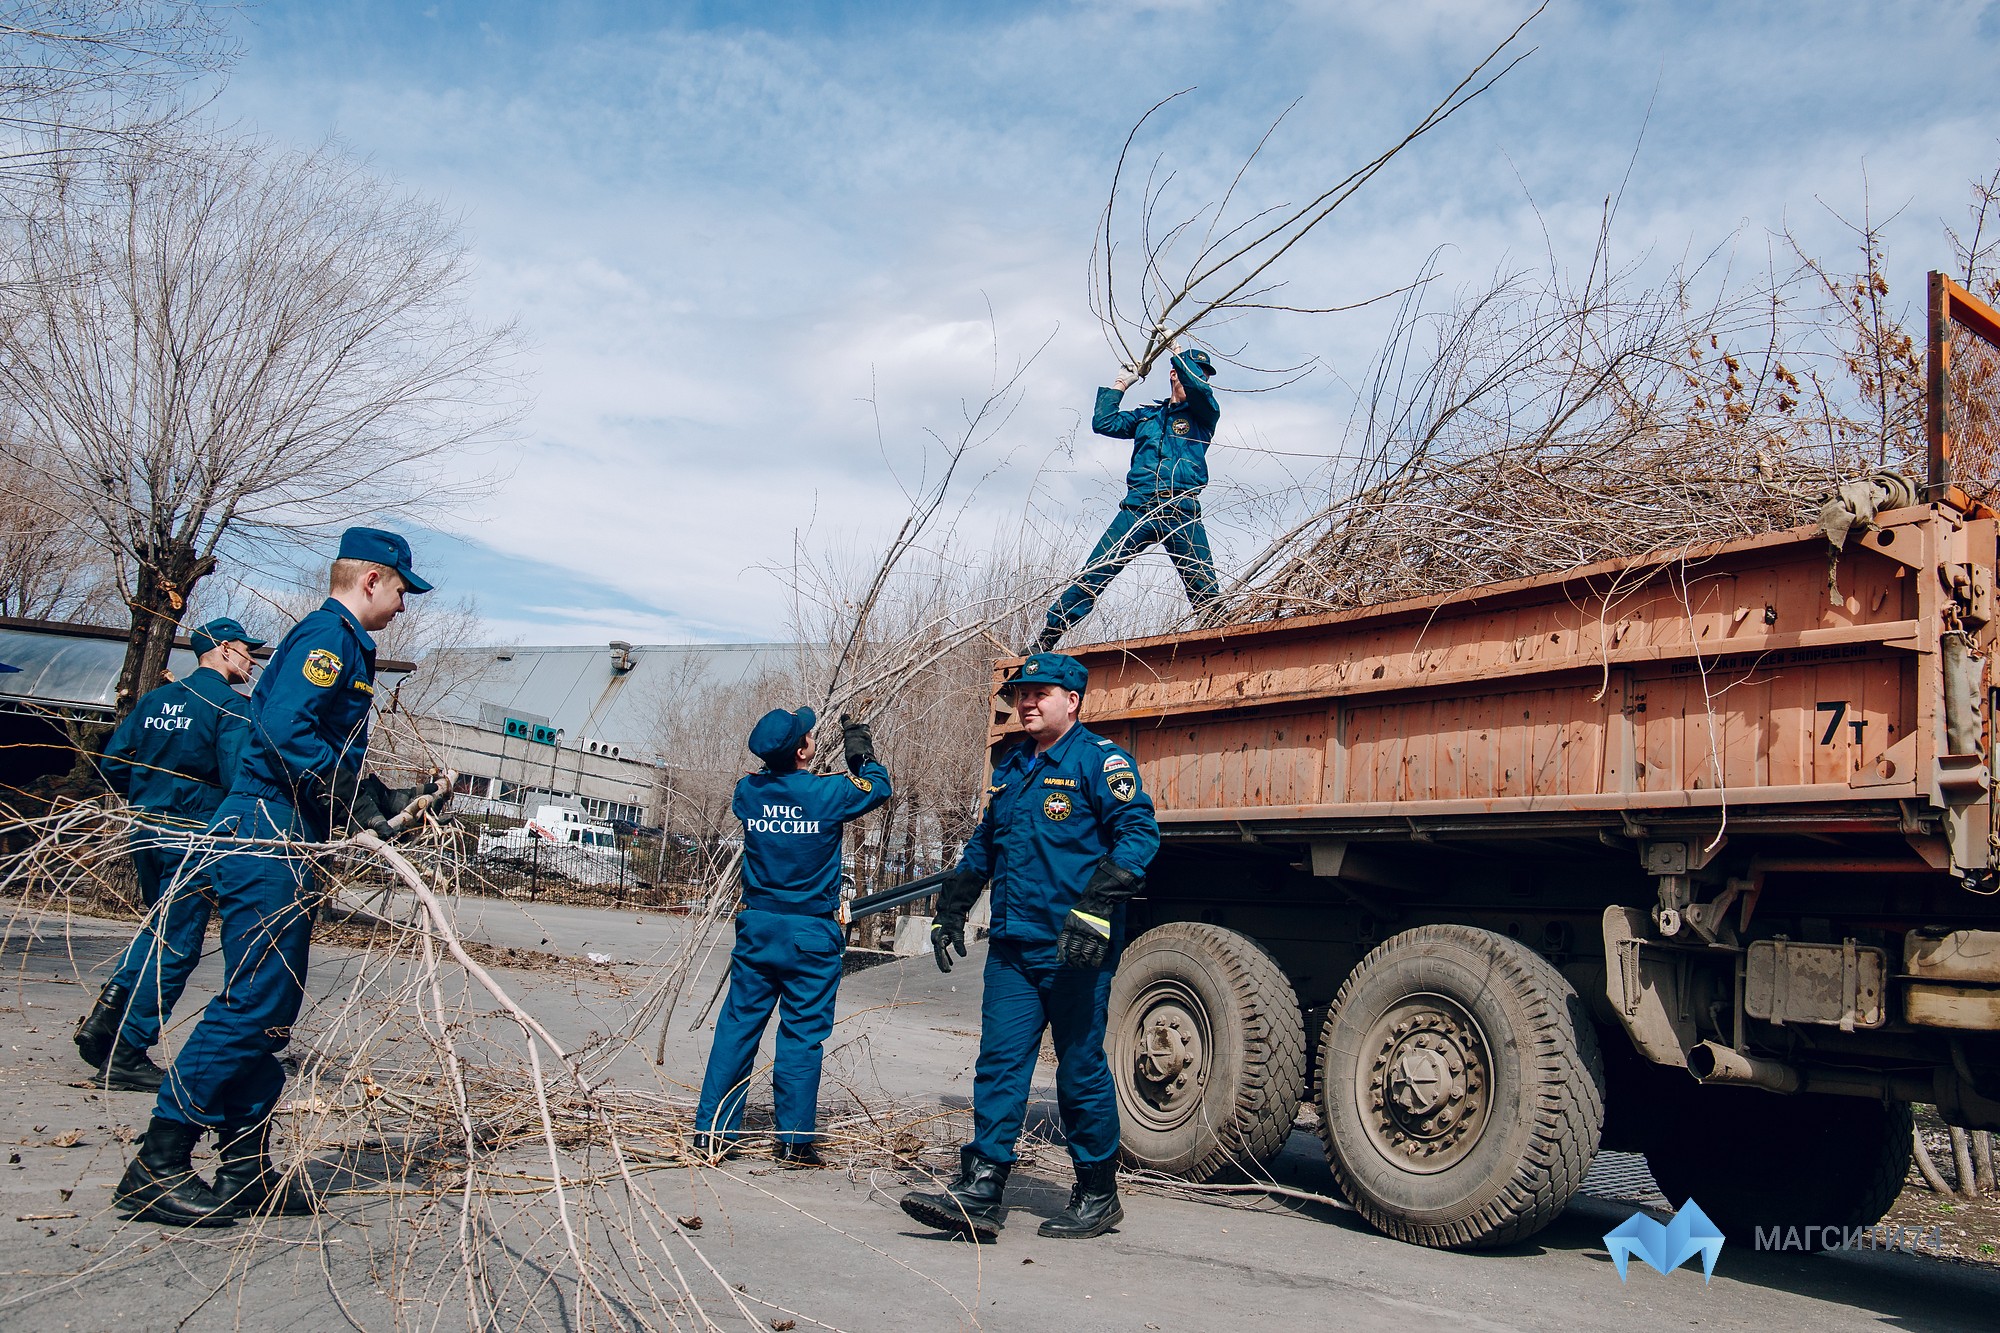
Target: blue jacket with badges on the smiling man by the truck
x=1049, y=822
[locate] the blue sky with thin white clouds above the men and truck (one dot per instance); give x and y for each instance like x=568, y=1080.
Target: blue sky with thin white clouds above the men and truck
x=727, y=227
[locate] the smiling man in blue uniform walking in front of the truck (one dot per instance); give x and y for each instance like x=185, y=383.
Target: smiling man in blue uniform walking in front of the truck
x=1065, y=842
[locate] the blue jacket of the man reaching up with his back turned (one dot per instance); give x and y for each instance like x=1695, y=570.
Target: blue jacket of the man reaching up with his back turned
x=793, y=836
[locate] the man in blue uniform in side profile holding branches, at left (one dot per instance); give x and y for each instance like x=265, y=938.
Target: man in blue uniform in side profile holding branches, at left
x=299, y=780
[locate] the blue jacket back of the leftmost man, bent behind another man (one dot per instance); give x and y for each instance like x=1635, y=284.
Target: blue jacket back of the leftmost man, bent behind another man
x=177, y=752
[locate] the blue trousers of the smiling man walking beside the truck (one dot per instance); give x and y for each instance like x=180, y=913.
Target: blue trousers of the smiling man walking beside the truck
x=1027, y=992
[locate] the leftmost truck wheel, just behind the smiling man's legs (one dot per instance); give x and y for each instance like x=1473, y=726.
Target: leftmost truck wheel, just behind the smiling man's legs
x=1207, y=1048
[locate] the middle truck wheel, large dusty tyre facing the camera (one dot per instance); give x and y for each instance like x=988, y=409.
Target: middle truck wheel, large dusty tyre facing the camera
x=1461, y=1088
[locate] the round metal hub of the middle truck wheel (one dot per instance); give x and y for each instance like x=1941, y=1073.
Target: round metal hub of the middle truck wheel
x=1427, y=1092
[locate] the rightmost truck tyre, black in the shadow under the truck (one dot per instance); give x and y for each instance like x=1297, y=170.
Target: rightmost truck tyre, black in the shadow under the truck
x=1755, y=1160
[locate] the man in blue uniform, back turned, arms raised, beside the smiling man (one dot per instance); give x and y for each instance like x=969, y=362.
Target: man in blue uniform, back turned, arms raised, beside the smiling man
x=789, y=934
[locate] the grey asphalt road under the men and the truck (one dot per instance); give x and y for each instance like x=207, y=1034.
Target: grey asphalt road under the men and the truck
x=833, y=1246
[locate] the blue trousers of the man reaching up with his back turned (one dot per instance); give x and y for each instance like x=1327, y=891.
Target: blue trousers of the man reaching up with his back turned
x=777, y=958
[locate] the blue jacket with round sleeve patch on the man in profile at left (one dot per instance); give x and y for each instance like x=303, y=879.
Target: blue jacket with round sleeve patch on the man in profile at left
x=309, y=714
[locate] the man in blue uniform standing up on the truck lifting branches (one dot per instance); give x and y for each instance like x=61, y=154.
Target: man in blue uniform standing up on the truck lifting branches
x=1163, y=489
